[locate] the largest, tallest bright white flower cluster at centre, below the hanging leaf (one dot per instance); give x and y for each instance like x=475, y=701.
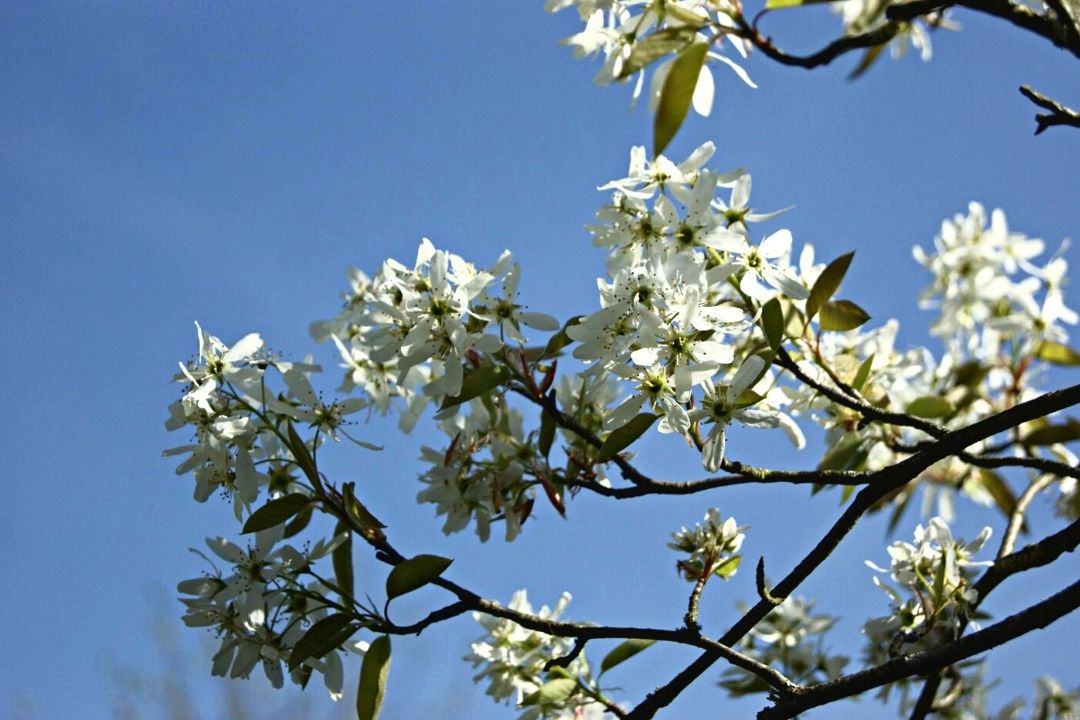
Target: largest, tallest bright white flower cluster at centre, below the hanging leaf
x=685, y=281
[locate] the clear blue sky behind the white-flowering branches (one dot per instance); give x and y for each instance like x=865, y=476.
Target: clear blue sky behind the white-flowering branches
x=163, y=164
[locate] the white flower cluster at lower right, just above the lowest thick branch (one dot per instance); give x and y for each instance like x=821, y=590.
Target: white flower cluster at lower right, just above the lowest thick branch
x=937, y=594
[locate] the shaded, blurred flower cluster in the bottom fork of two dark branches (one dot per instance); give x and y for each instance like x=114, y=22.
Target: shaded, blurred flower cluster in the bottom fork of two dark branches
x=792, y=641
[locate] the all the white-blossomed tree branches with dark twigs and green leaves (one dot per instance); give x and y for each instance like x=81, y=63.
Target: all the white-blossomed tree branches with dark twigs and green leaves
x=701, y=324
